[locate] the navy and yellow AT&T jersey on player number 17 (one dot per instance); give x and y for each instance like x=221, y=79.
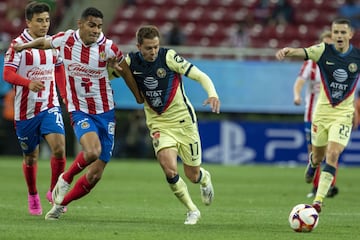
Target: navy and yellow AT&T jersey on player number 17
x=161, y=84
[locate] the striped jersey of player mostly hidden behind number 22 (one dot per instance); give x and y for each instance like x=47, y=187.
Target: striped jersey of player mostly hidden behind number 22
x=311, y=73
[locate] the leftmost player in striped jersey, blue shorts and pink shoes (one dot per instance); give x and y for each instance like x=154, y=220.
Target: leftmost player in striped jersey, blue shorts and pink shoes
x=37, y=111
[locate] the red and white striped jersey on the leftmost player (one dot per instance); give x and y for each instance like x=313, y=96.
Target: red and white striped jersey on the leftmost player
x=33, y=64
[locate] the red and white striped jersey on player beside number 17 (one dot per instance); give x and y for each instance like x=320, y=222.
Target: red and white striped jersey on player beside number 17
x=88, y=87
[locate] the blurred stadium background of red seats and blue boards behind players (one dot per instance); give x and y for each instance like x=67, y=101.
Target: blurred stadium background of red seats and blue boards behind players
x=259, y=123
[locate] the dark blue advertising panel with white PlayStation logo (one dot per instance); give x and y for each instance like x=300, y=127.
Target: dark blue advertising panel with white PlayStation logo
x=229, y=142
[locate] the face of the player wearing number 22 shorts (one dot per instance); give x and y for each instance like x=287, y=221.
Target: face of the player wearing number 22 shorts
x=341, y=35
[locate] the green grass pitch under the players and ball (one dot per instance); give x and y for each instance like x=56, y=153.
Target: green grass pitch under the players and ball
x=133, y=201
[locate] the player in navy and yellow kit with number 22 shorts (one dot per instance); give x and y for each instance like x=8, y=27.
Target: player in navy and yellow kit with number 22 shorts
x=334, y=113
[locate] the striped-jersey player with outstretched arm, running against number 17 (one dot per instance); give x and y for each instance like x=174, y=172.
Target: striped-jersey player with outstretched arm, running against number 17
x=86, y=52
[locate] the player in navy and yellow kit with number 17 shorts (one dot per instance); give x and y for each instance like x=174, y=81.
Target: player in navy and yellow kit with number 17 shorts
x=170, y=116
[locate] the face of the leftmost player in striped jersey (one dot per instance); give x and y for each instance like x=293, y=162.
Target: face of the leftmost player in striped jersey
x=39, y=24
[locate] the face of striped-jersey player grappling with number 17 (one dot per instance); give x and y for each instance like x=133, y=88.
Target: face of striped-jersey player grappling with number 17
x=90, y=29
